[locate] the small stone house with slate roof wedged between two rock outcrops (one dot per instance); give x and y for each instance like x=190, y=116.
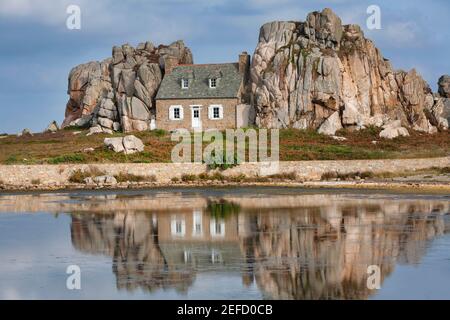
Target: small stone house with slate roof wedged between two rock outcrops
x=204, y=96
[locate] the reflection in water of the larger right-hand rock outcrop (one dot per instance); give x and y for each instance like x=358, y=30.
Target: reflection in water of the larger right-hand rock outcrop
x=324, y=253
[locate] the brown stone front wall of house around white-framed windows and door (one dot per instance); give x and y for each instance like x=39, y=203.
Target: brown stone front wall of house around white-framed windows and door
x=228, y=121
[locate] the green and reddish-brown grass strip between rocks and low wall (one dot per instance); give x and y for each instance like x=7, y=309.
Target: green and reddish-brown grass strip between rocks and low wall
x=65, y=148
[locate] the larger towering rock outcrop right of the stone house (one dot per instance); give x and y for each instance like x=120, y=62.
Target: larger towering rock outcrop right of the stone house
x=324, y=75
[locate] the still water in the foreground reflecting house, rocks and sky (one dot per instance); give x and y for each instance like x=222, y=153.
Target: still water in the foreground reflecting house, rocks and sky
x=236, y=243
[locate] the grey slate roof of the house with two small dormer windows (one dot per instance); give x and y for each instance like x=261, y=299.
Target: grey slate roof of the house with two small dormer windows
x=228, y=82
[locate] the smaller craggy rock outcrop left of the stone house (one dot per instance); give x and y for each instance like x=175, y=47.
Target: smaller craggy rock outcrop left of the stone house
x=118, y=93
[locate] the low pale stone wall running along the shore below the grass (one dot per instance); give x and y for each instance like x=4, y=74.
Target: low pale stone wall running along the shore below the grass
x=58, y=175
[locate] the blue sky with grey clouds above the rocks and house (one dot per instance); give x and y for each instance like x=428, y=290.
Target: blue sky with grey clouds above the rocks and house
x=37, y=50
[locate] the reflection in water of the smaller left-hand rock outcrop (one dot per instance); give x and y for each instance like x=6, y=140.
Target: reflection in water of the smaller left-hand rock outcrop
x=132, y=241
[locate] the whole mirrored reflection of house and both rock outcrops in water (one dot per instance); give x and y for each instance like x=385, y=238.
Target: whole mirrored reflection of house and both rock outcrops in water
x=302, y=252
